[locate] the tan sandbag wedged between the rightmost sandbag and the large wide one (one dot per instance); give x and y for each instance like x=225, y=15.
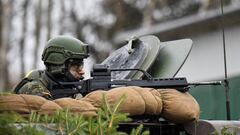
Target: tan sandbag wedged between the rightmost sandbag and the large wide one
x=153, y=102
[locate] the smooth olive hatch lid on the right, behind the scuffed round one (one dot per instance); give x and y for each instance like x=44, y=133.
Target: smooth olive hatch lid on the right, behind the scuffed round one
x=170, y=58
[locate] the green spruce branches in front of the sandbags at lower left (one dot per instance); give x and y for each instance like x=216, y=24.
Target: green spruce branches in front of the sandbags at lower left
x=63, y=122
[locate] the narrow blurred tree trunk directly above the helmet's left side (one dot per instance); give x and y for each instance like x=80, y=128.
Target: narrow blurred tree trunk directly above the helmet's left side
x=49, y=19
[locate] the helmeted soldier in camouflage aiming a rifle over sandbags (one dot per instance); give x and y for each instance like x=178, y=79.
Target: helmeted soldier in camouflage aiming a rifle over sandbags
x=63, y=58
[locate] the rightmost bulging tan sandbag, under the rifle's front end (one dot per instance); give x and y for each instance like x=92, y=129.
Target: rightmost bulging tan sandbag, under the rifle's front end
x=179, y=107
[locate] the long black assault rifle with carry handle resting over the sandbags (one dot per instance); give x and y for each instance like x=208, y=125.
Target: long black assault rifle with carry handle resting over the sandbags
x=101, y=80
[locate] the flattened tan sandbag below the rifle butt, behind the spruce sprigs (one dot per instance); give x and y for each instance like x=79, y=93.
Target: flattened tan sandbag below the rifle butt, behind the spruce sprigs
x=77, y=106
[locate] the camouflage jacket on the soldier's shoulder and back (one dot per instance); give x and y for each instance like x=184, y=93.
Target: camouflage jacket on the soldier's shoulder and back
x=35, y=82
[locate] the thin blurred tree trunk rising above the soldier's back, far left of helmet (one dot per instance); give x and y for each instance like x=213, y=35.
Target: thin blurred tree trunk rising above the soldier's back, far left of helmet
x=23, y=37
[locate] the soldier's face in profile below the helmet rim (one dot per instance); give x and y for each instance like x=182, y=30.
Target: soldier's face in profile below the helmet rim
x=77, y=71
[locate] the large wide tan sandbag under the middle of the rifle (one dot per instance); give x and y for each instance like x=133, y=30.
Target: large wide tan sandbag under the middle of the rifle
x=133, y=104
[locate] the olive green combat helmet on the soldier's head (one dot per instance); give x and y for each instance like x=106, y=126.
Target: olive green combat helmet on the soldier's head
x=62, y=48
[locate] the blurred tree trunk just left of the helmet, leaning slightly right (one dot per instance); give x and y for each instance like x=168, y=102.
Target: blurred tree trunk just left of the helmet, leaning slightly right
x=38, y=19
